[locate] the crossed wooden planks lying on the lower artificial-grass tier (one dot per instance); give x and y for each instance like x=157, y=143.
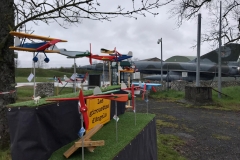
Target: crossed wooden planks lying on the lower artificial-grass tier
x=91, y=145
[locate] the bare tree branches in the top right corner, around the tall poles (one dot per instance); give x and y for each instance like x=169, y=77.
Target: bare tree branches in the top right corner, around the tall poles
x=188, y=9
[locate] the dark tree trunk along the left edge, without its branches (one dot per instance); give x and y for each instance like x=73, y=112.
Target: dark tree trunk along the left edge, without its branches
x=7, y=70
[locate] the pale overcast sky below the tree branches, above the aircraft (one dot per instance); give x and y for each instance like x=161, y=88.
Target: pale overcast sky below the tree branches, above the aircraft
x=126, y=34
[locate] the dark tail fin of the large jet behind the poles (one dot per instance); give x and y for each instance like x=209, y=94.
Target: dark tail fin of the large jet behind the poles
x=229, y=52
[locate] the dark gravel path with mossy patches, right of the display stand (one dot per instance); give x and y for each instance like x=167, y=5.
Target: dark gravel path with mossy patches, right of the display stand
x=209, y=134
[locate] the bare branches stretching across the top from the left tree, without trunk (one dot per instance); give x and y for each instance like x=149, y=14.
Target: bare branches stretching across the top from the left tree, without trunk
x=73, y=11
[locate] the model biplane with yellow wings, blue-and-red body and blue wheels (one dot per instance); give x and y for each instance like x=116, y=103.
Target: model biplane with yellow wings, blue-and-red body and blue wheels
x=36, y=46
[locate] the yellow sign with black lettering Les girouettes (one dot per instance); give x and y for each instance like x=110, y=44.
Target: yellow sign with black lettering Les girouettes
x=98, y=111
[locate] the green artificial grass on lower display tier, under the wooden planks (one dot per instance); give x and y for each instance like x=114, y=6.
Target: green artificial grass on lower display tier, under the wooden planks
x=126, y=132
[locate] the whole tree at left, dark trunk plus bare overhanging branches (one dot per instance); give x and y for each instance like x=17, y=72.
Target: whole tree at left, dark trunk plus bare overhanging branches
x=61, y=12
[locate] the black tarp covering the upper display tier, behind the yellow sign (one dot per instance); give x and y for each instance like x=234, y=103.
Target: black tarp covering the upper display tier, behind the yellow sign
x=36, y=132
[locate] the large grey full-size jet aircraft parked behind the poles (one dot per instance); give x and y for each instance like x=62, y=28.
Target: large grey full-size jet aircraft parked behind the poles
x=187, y=70
